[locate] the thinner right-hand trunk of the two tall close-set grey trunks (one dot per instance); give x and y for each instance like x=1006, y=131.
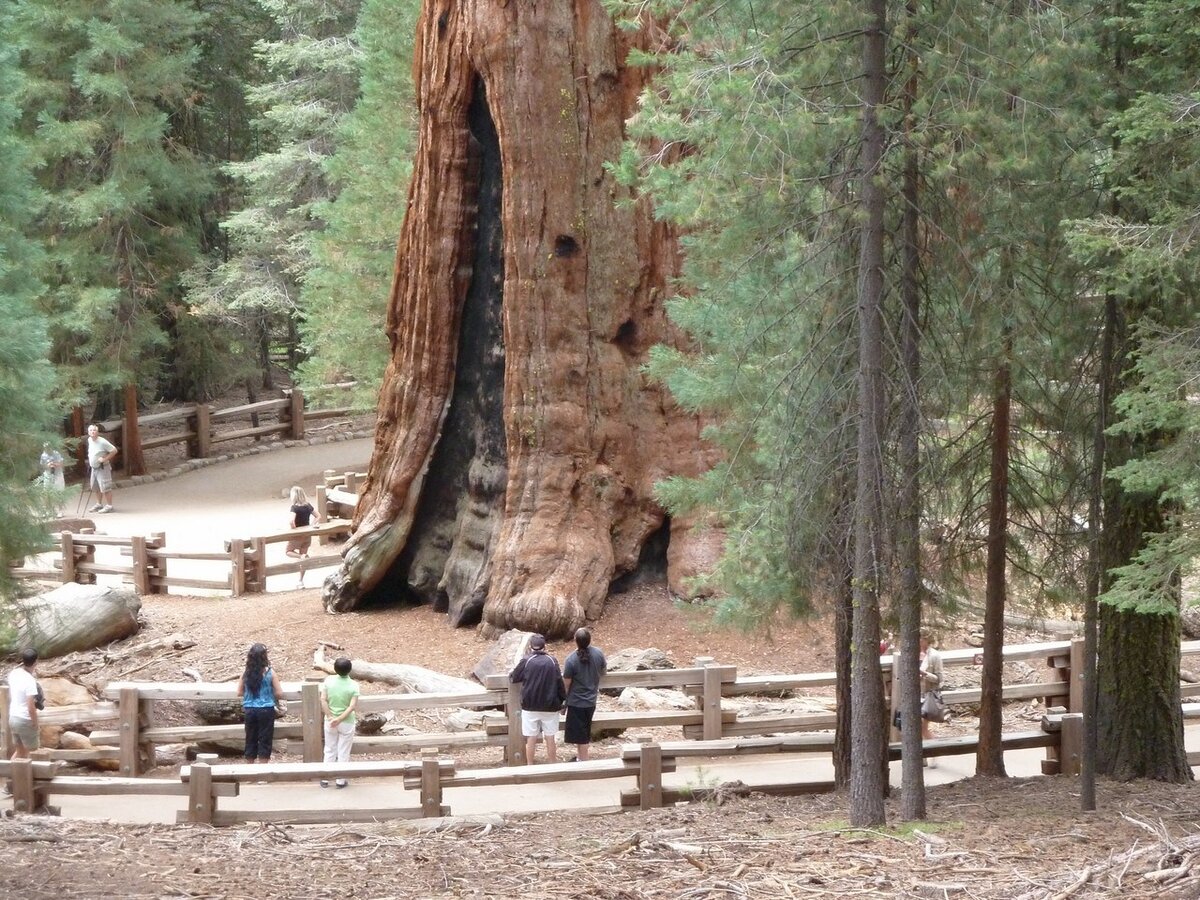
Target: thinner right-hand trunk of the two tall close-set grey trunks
x=905, y=670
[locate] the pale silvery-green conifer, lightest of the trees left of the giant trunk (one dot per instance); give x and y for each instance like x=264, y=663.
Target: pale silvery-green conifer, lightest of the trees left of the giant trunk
x=310, y=83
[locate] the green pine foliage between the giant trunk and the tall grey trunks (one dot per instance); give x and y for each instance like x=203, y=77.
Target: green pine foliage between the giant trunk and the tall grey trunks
x=746, y=145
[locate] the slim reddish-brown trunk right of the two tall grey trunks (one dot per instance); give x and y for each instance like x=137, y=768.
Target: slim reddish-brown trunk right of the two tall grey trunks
x=991, y=752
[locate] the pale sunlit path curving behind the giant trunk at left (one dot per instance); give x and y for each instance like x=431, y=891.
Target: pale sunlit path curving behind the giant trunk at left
x=201, y=509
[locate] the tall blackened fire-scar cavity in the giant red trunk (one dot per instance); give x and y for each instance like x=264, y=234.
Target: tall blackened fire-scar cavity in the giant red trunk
x=469, y=470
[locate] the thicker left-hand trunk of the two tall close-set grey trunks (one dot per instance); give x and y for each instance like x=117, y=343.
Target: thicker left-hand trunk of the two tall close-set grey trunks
x=868, y=782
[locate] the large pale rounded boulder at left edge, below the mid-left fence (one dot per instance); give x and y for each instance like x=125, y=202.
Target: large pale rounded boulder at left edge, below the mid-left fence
x=74, y=617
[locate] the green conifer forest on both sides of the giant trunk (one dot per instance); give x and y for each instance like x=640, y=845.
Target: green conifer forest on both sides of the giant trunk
x=940, y=281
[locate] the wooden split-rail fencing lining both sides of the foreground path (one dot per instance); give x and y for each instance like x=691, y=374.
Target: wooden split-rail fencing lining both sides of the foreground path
x=710, y=734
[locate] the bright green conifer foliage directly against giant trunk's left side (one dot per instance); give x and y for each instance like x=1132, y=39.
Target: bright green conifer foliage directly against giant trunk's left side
x=345, y=298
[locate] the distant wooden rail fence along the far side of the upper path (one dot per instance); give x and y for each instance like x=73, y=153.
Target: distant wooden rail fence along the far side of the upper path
x=201, y=428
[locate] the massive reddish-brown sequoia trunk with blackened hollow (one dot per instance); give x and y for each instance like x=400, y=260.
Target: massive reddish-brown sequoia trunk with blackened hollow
x=519, y=443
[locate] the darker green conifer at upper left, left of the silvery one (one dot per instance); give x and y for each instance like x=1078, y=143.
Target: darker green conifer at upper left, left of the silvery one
x=109, y=86
